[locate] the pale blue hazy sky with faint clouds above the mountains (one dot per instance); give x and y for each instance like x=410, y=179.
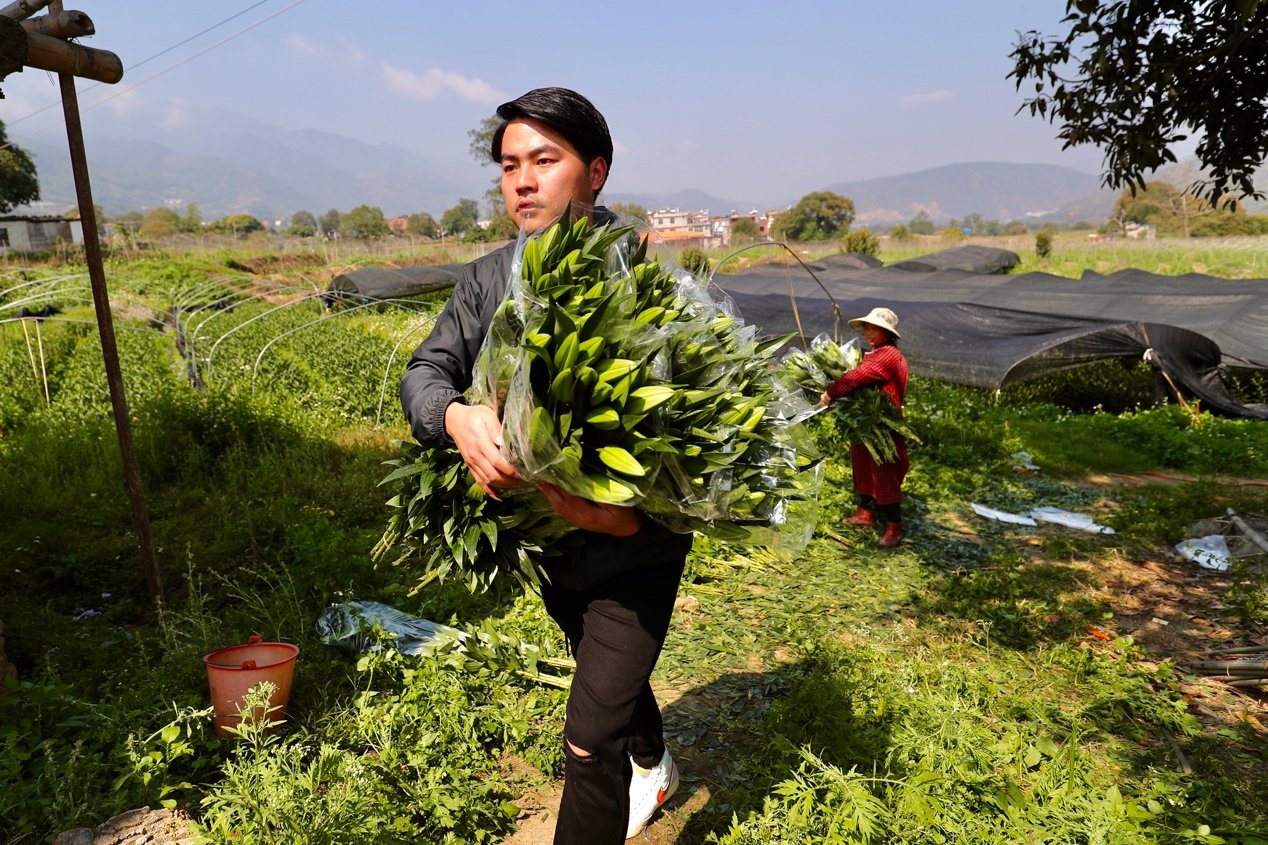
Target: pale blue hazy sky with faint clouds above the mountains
x=736, y=98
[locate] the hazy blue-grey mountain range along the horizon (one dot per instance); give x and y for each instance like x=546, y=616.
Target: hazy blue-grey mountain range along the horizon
x=228, y=164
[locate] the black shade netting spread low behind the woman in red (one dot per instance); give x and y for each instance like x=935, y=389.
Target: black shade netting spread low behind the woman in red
x=964, y=323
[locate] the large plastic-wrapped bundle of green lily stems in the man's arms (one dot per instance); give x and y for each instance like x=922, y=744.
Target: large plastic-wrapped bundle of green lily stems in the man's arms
x=626, y=381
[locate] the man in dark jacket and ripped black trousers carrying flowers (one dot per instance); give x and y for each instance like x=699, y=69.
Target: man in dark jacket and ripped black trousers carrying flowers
x=613, y=593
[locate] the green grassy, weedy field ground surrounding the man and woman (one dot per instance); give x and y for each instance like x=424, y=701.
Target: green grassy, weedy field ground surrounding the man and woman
x=983, y=683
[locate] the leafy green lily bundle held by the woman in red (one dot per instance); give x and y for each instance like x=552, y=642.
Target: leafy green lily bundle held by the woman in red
x=867, y=417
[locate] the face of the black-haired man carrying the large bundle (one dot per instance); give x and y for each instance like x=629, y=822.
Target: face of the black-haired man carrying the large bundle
x=542, y=173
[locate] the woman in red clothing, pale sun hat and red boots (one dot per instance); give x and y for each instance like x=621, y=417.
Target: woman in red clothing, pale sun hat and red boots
x=879, y=485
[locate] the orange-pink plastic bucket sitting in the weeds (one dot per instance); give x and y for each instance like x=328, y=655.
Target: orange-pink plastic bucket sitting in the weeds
x=233, y=672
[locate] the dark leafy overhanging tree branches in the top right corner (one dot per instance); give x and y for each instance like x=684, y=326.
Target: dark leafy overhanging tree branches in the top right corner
x=1135, y=77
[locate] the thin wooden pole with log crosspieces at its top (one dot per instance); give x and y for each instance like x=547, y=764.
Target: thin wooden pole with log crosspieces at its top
x=37, y=44
